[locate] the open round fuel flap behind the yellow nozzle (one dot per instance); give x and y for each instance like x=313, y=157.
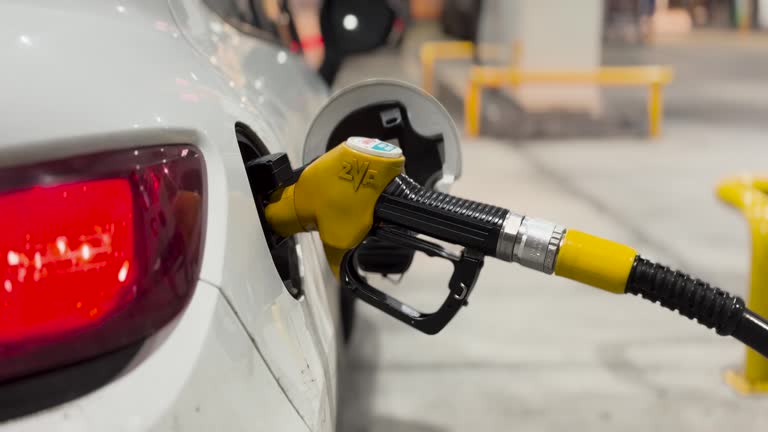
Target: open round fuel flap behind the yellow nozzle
x=405, y=116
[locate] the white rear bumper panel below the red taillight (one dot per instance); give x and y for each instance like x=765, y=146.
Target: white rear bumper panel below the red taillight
x=200, y=373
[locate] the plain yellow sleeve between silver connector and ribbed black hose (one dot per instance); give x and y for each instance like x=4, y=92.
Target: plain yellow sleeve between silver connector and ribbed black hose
x=595, y=261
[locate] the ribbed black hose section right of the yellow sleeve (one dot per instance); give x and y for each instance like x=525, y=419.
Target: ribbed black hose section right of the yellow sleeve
x=698, y=300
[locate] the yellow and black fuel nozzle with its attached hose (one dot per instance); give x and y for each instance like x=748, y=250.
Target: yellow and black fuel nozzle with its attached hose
x=361, y=182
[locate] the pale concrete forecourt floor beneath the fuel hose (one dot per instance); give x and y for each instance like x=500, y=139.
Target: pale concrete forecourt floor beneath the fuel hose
x=533, y=352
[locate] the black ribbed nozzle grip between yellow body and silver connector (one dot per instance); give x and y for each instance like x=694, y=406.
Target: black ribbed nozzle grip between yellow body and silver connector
x=467, y=223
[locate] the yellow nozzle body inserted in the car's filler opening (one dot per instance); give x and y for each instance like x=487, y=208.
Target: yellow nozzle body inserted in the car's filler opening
x=336, y=195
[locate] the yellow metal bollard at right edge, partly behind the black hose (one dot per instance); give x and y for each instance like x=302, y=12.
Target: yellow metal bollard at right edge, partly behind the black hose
x=750, y=195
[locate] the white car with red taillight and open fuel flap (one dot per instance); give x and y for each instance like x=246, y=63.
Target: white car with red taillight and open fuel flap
x=138, y=290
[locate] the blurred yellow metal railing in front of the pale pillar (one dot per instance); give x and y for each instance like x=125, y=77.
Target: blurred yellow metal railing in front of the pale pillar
x=480, y=77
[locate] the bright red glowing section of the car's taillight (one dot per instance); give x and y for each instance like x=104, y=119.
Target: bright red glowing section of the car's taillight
x=67, y=255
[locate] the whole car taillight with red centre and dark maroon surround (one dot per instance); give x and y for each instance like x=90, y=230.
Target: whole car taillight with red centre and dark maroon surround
x=95, y=252
